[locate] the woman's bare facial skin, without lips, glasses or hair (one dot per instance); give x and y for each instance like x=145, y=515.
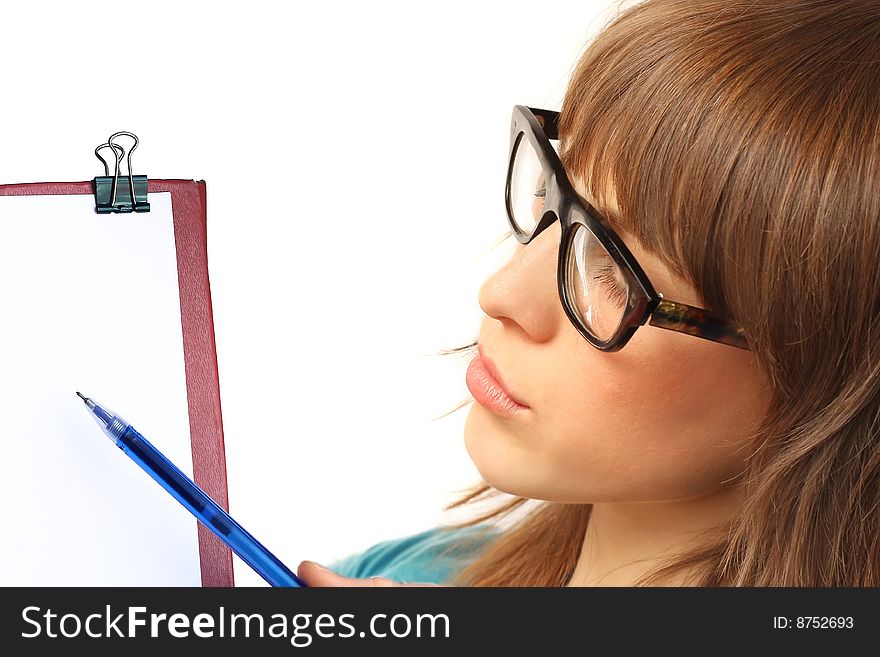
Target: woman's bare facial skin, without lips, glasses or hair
x=667, y=417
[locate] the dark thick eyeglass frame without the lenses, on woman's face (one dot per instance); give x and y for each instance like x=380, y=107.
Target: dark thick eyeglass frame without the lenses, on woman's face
x=644, y=303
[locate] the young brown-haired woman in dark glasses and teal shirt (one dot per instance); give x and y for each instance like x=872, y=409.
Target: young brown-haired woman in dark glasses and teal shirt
x=717, y=187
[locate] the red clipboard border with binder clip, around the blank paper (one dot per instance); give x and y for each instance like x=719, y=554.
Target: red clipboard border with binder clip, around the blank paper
x=189, y=212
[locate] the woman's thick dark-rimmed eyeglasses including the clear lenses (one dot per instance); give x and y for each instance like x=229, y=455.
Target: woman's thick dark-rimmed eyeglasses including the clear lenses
x=603, y=289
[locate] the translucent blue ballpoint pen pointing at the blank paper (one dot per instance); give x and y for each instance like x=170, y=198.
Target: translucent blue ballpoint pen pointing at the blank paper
x=191, y=496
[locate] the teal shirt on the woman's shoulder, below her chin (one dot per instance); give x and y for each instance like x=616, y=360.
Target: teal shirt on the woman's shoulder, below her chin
x=433, y=556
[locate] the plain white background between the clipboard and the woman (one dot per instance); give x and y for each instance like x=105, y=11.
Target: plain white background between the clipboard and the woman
x=355, y=156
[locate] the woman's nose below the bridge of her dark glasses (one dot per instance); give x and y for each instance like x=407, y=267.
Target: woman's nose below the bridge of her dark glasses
x=524, y=291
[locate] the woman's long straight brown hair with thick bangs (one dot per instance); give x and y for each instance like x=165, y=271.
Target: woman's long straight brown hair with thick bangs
x=742, y=142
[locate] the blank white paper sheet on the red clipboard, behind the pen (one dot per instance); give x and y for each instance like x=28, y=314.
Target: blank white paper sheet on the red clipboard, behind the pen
x=90, y=302
